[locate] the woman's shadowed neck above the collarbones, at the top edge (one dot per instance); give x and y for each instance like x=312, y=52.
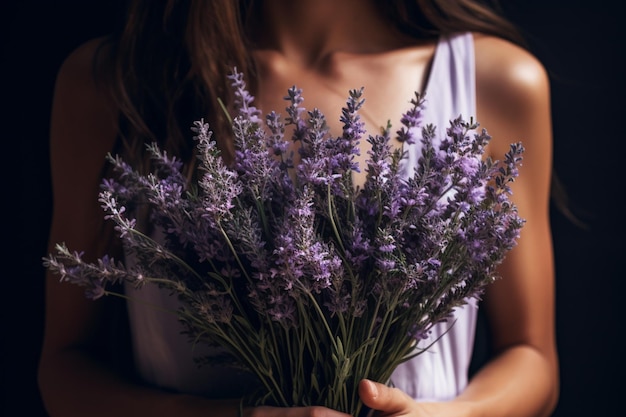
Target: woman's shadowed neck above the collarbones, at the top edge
x=308, y=31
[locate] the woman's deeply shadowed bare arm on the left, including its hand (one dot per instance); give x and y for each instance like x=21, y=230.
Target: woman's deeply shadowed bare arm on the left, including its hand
x=74, y=378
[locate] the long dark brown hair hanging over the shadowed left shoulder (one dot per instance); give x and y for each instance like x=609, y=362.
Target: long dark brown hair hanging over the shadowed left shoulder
x=166, y=66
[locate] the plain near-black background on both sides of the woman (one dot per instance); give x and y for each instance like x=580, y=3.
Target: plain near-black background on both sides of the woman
x=580, y=44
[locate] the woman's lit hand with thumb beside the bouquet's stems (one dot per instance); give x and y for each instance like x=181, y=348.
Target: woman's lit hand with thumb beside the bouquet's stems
x=388, y=401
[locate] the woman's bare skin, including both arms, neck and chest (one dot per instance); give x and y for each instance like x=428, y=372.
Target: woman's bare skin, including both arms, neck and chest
x=329, y=56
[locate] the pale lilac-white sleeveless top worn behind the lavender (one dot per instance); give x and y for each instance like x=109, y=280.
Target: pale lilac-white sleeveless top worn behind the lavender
x=164, y=357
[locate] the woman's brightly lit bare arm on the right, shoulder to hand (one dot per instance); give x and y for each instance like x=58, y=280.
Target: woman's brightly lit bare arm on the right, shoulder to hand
x=522, y=378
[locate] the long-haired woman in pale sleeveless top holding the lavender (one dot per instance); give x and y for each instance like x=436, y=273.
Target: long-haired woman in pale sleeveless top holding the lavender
x=167, y=66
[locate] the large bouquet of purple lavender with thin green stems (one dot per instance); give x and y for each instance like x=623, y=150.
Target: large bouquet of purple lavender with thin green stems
x=310, y=282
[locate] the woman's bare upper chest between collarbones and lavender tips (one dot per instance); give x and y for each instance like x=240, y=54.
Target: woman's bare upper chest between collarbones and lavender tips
x=389, y=82
